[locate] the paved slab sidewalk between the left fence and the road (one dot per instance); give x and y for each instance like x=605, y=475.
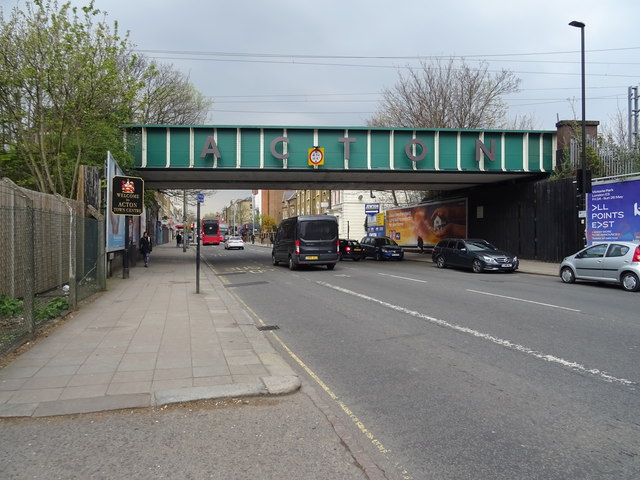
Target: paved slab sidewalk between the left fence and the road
x=148, y=340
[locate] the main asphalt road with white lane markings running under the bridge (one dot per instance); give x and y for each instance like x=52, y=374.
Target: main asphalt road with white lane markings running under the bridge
x=447, y=374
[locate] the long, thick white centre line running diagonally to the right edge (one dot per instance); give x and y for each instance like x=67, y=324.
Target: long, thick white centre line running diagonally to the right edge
x=485, y=336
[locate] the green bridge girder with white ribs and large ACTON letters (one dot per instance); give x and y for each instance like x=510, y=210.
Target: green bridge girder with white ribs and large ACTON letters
x=177, y=156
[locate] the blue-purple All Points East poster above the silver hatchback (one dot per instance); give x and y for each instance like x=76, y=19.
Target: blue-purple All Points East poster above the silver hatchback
x=613, y=212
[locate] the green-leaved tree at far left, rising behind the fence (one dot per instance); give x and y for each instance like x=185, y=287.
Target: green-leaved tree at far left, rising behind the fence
x=66, y=89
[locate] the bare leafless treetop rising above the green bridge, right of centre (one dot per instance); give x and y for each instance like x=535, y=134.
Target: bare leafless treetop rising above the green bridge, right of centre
x=446, y=95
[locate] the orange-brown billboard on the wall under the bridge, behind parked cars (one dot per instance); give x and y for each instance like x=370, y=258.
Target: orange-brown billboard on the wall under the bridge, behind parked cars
x=432, y=221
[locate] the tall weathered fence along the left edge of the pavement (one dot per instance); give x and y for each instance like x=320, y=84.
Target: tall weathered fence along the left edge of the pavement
x=51, y=258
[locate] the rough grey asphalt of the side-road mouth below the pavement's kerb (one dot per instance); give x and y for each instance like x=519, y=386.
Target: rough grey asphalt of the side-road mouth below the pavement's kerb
x=270, y=438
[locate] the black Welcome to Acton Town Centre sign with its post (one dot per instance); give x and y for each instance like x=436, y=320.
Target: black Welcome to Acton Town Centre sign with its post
x=127, y=198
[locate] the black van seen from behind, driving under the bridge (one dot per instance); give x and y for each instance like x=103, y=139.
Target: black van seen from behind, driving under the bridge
x=306, y=240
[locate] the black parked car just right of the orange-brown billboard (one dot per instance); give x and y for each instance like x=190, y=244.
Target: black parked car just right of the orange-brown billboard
x=474, y=253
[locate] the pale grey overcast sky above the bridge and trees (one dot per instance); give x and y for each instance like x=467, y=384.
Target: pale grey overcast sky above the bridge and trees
x=324, y=63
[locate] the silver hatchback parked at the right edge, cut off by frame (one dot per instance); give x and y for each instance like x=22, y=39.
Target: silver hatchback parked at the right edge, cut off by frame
x=609, y=262
